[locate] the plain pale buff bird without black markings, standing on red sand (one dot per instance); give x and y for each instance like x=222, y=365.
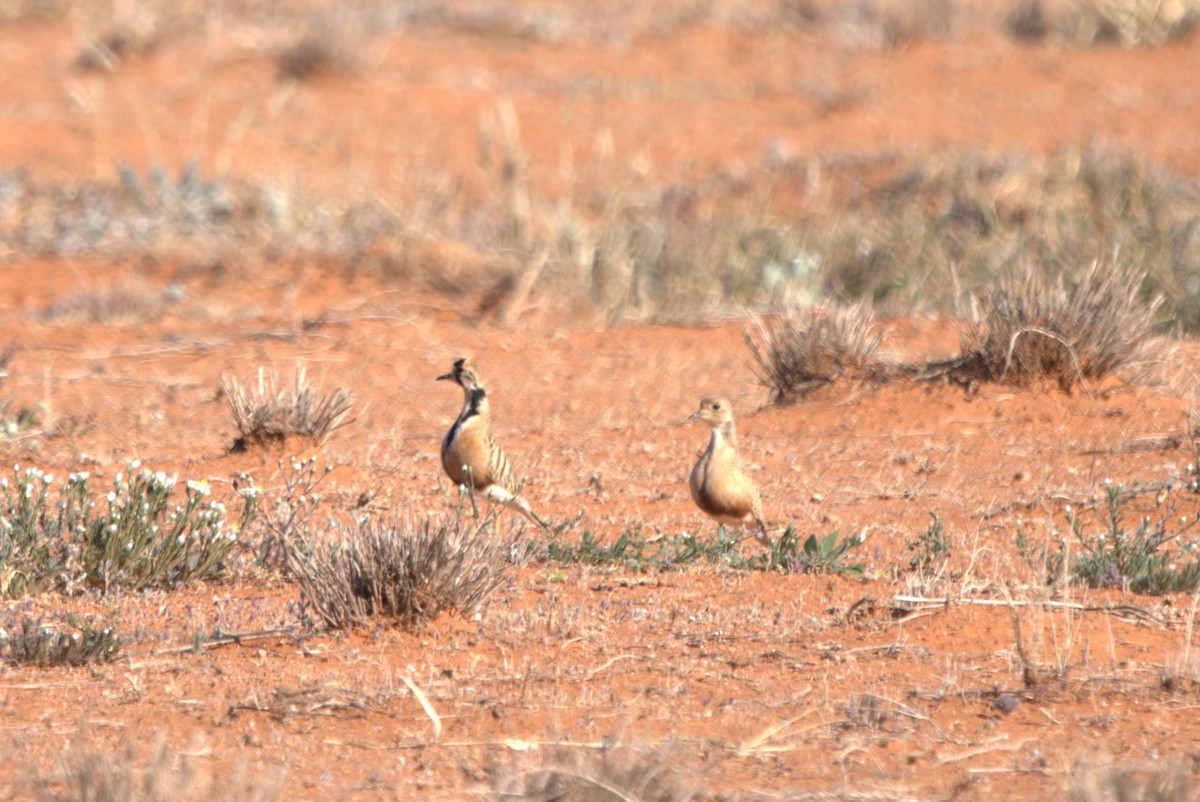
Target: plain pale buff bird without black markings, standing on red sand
x=719, y=482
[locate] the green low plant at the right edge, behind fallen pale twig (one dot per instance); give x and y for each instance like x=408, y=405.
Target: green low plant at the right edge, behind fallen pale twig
x=1151, y=558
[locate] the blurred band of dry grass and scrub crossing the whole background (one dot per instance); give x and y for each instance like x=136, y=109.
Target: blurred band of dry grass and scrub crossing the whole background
x=926, y=240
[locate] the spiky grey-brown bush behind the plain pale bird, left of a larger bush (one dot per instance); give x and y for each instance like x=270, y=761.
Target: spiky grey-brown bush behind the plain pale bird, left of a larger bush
x=799, y=350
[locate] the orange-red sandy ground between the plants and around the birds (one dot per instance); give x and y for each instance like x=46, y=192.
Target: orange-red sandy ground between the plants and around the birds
x=758, y=681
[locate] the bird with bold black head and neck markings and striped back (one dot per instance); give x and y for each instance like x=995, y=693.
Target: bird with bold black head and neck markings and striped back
x=470, y=453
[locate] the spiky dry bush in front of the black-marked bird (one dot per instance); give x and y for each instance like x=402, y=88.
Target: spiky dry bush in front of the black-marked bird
x=411, y=572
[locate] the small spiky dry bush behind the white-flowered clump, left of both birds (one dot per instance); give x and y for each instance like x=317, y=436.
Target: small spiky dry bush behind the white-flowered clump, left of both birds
x=272, y=414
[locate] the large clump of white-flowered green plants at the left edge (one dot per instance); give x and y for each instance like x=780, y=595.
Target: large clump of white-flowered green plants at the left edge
x=134, y=537
